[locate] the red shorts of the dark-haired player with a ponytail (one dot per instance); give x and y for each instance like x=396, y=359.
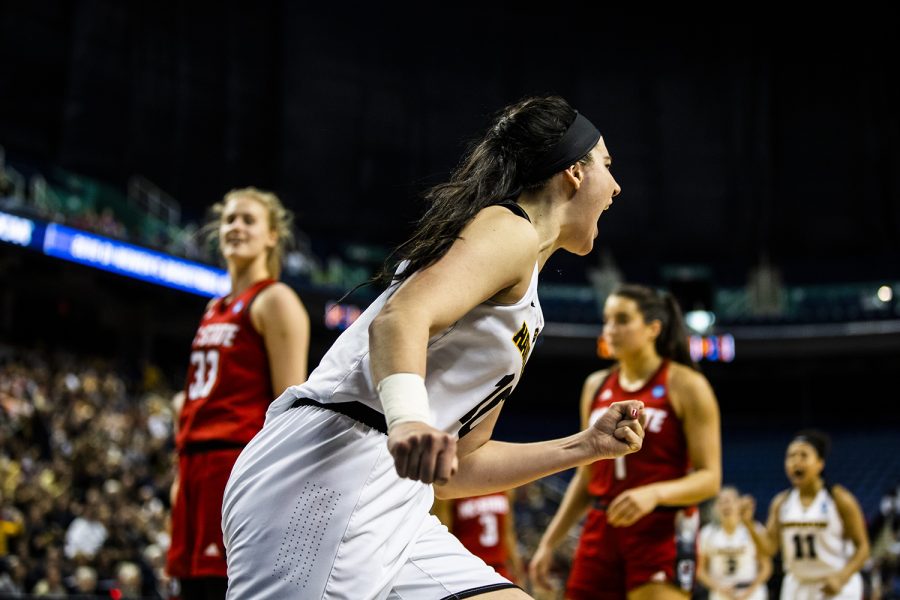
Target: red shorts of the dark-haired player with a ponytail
x=612, y=561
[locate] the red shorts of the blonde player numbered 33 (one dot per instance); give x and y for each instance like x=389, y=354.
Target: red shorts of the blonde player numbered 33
x=197, y=549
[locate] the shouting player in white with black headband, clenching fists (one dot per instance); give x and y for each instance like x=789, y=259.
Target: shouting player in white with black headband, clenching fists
x=331, y=499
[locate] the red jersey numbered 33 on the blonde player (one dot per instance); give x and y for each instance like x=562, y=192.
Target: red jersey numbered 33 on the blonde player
x=228, y=386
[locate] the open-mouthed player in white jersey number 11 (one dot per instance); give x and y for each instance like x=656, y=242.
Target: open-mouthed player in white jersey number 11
x=819, y=529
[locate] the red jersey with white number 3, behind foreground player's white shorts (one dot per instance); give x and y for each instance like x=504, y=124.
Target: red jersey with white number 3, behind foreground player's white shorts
x=479, y=523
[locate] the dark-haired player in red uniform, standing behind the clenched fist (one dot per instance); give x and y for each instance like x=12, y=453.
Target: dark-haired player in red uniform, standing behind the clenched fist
x=639, y=539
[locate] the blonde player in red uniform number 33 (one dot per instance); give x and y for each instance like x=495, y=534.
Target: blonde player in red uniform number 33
x=250, y=346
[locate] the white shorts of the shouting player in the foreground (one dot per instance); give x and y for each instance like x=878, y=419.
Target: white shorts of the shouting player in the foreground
x=315, y=510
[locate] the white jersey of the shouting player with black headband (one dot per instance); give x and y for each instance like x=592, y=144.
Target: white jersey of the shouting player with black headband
x=471, y=368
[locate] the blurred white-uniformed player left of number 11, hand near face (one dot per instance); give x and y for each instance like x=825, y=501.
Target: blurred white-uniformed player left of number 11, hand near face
x=729, y=565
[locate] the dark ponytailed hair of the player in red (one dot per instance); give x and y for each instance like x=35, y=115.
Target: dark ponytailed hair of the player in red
x=672, y=342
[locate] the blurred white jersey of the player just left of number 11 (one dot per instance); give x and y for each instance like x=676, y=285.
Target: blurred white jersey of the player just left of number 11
x=731, y=556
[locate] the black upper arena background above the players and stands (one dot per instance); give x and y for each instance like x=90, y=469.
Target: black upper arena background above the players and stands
x=730, y=139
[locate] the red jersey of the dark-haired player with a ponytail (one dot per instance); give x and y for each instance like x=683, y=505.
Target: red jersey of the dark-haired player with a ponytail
x=663, y=455
